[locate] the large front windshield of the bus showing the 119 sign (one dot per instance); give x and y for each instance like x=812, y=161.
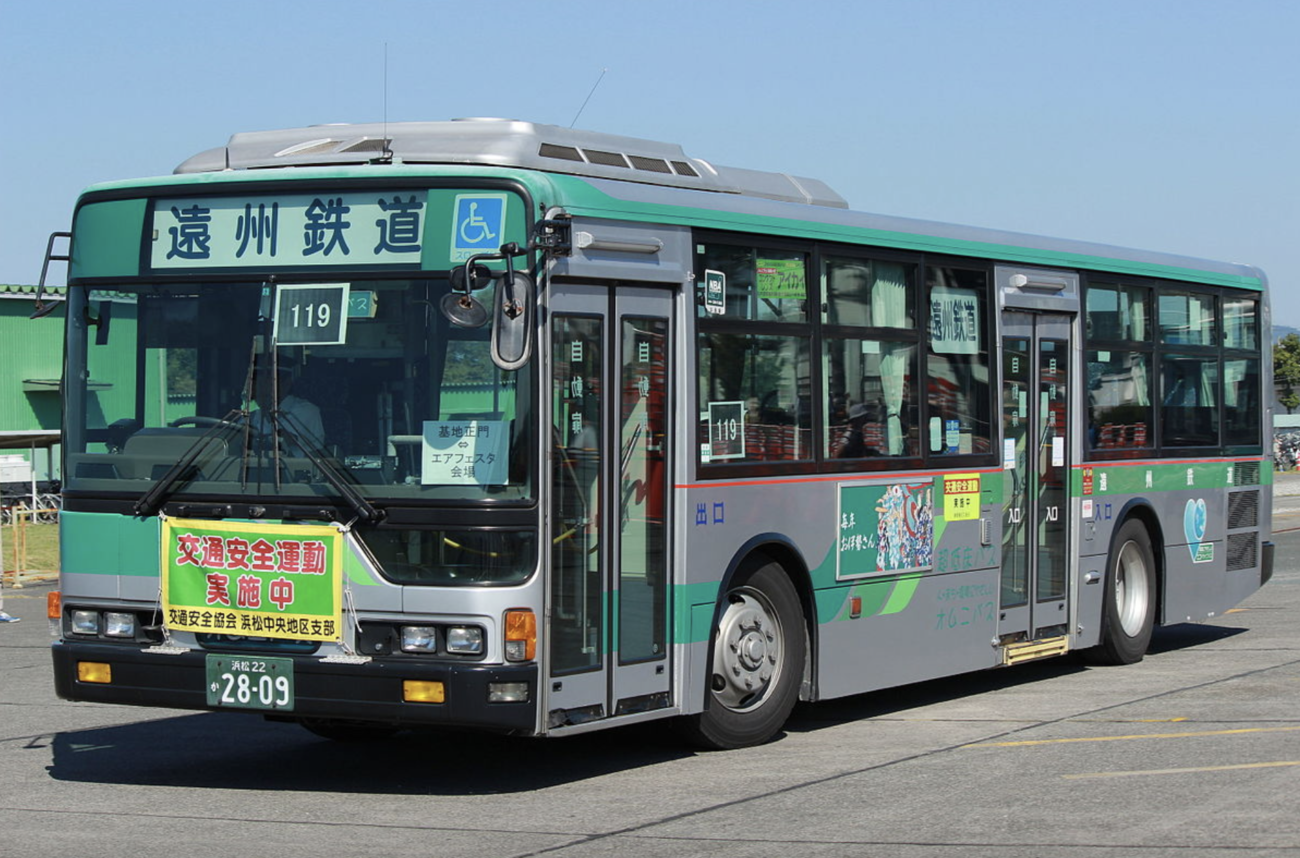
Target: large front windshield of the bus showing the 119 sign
x=267, y=387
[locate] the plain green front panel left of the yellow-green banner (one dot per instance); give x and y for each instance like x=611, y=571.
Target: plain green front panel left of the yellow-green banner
x=106, y=544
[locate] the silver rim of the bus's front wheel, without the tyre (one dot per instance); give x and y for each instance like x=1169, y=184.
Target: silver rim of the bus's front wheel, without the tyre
x=749, y=652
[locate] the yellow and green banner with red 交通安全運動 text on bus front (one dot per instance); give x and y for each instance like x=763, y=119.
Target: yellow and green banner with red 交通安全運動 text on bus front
x=253, y=579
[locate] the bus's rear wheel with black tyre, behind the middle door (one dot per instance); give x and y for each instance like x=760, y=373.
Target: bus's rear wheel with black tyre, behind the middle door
x=1129, y=616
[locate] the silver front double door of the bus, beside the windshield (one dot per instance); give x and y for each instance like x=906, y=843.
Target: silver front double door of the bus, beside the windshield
x=610, y=564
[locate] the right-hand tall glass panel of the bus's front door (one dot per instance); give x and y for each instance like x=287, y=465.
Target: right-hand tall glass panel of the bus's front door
x=643, y=491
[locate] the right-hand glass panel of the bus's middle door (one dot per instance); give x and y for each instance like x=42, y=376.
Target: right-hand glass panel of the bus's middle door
x=1054, y=471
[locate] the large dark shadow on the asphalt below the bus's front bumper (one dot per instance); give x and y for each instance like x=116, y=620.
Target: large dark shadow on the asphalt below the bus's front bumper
x=216, y=751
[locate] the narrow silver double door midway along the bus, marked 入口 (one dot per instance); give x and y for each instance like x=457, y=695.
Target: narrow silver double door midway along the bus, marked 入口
x=1037, y=396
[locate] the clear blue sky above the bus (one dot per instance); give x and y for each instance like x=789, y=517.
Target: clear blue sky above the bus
x=1155, y=124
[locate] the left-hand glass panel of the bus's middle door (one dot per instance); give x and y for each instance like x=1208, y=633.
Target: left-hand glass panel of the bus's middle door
x=1016, y=432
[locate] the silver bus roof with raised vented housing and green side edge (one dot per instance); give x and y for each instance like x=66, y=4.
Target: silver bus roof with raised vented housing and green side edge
x=630, y=179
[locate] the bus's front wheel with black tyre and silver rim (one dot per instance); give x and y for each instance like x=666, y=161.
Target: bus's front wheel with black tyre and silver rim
x=757, y=662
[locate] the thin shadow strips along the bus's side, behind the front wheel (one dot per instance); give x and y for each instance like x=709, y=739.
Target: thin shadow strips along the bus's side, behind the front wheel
x=898, y=701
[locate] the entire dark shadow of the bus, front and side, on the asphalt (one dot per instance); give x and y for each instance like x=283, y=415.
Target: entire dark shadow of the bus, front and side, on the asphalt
x=223, y=751
